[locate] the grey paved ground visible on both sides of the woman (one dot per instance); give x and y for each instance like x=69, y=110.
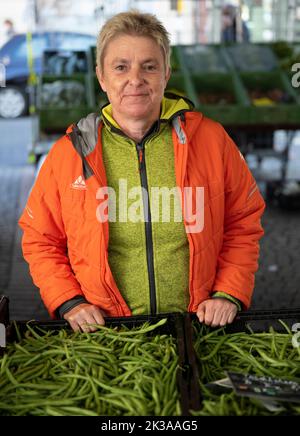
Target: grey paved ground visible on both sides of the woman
x=277, y=281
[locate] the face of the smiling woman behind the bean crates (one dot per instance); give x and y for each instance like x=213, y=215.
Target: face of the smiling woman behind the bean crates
x=134, y=77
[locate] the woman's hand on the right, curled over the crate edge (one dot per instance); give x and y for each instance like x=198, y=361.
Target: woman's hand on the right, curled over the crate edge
x=216, y=312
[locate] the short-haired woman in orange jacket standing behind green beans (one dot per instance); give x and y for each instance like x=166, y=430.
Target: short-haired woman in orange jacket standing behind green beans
x=137, y=259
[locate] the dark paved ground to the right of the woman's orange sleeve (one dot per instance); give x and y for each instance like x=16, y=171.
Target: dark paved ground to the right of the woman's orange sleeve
x=278, y=278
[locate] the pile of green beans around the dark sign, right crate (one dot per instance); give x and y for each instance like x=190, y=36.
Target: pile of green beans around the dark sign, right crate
x=262, y=354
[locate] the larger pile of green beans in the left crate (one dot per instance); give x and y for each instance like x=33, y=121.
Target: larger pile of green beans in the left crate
x=111, y=372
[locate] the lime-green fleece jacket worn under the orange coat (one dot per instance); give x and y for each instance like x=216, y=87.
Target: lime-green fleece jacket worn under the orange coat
x=127, y=253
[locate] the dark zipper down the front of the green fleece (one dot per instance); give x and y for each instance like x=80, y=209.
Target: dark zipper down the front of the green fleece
x=148, y=226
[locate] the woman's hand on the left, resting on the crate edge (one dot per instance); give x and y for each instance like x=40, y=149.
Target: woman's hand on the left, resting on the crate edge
x=84, y=314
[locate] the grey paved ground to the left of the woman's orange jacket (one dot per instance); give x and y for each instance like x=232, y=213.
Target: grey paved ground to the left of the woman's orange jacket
x=16, y=180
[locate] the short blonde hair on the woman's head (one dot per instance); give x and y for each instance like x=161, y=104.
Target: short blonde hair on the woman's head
x=133, y=23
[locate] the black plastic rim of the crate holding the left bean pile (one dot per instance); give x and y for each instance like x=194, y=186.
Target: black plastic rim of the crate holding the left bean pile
x=173, y=327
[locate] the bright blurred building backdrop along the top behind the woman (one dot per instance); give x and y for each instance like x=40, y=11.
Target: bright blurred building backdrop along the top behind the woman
x=188, y=21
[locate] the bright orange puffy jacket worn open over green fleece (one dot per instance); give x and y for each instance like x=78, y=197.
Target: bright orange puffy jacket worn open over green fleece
x=66, y=246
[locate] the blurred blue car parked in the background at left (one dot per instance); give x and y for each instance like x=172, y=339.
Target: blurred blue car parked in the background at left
x=14, y=97
